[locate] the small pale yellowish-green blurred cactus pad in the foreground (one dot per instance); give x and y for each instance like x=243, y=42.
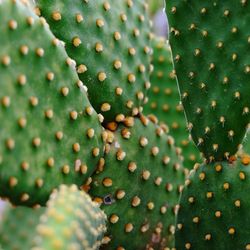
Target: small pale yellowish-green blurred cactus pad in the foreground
x=71, y=221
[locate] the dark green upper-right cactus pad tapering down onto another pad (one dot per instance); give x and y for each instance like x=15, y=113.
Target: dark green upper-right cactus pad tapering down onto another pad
x=210, y=40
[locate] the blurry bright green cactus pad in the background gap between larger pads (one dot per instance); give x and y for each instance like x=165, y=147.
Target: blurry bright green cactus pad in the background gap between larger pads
x=164, y=101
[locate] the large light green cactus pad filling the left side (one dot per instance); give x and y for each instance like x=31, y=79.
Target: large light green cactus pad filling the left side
x=50, y=134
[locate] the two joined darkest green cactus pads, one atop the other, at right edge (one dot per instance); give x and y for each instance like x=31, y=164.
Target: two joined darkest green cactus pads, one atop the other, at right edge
x=213, y=75
